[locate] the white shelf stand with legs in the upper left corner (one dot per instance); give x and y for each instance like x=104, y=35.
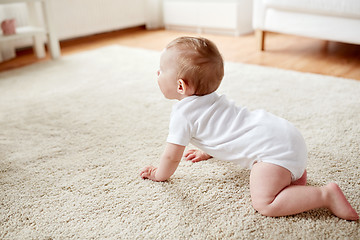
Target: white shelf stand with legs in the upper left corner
x=34, y=30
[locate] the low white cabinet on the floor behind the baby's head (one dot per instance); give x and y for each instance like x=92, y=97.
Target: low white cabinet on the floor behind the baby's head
x=213, y=16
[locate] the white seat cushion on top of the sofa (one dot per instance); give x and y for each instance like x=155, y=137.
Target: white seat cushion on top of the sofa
x=341, y=8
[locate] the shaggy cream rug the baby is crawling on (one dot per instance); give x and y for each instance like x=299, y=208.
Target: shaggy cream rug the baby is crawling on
x=74, y=134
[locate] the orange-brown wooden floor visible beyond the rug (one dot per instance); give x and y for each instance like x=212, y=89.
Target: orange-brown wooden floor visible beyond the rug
x=282, y=51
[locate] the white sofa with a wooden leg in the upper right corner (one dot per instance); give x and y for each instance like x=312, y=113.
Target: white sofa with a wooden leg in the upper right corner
x=333, y=20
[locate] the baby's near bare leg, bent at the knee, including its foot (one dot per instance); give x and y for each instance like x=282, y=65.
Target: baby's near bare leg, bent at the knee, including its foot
x=273, y=195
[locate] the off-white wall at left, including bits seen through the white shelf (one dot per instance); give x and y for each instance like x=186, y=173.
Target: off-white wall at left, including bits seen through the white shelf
x=76, y=18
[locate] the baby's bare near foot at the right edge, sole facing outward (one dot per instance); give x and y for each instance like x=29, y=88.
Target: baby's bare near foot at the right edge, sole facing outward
x=338, y=204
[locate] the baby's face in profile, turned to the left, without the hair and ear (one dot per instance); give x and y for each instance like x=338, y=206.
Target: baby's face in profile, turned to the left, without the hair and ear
x=167, y=74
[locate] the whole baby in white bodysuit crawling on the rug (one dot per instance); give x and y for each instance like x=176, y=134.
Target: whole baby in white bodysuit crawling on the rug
x=191, y=69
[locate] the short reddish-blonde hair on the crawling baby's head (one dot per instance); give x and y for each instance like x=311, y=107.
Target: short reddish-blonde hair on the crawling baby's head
x=200, y=63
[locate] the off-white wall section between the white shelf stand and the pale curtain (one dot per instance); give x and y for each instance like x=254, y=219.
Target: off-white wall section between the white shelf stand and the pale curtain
x=75, y=18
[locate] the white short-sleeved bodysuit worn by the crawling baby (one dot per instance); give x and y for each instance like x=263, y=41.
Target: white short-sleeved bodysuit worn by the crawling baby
x=235, y=134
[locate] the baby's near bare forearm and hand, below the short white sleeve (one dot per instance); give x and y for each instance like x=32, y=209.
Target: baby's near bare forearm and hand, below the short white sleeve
x=169, y=161
